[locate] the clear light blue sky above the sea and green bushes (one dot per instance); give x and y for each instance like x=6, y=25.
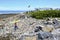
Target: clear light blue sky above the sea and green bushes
x=23, y=4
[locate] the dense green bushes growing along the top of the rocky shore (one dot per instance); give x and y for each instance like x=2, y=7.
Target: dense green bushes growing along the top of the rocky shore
x=40, y=14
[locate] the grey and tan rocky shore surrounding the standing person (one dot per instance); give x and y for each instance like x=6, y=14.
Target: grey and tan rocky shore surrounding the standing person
x=29, y=28
